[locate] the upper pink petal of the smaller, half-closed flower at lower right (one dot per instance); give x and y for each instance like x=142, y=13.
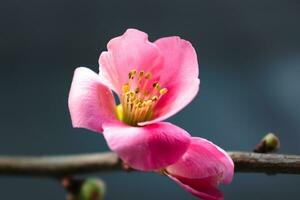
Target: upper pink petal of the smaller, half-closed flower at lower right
x=203, y=159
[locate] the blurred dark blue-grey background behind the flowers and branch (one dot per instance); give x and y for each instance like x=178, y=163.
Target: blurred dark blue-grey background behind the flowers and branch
x=249, y=54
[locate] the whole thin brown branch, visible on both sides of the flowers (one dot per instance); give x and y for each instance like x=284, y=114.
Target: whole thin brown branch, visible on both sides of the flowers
x=60, y=166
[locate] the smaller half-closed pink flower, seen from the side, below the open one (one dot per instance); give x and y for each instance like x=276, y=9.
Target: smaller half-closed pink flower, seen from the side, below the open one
x=201, y=169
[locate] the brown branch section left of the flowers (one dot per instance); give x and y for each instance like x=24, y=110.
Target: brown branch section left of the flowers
x=59, y=165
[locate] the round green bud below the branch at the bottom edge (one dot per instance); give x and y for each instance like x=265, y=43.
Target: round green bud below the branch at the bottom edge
x=92, y=189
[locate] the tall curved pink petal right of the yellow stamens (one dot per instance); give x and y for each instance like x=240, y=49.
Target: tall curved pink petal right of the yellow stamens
x=179, y=75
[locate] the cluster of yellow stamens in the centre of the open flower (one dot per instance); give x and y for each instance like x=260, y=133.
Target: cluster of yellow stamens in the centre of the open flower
x=139, y=97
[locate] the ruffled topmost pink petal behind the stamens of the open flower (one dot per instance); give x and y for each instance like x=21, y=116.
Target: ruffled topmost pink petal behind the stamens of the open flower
x=131, y=51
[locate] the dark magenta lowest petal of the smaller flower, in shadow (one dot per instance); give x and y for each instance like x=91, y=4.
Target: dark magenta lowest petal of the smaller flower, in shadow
x=202, y=188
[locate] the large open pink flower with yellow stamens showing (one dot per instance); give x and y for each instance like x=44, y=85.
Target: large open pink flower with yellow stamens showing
x=153, y=81
